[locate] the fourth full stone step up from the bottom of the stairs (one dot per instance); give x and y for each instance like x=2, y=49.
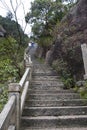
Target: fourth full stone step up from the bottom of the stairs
x=60, y=96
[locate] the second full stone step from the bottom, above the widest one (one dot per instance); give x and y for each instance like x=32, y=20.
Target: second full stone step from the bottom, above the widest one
x=55, y=111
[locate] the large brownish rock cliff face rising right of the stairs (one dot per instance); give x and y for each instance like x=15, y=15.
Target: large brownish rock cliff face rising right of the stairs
x=71, y=33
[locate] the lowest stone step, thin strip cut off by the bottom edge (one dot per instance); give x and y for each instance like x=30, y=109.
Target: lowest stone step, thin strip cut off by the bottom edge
x=74, y=128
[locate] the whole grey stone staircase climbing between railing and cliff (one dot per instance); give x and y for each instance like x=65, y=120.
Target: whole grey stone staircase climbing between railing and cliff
x=49, y=107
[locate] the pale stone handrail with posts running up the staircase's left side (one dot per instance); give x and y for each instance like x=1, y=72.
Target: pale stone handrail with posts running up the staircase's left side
x=10, y=115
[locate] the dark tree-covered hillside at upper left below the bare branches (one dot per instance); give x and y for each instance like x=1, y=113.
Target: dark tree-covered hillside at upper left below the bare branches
x=13, y=28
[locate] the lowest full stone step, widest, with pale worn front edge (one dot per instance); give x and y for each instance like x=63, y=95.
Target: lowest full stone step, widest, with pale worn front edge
x=55, y=122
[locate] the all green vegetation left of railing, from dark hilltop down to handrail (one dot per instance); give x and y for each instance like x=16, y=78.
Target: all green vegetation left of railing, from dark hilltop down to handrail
x=12, y=47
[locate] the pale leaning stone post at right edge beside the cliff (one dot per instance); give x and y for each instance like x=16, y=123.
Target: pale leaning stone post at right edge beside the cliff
x=84, y=55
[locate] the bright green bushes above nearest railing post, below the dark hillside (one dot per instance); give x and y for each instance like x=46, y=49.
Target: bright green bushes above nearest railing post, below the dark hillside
x=11, y=57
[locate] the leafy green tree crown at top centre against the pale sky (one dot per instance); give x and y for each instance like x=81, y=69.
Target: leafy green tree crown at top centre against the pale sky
x=44, y=15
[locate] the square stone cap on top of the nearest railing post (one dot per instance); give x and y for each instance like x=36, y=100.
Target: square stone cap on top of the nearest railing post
x=14, y=87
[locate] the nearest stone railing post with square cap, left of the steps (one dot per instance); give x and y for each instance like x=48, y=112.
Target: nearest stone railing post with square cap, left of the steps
x=14, y=89
